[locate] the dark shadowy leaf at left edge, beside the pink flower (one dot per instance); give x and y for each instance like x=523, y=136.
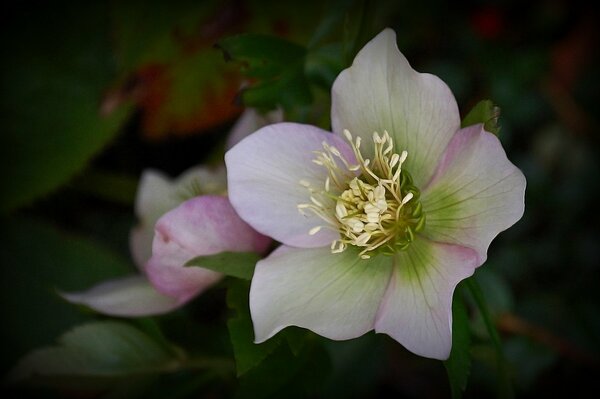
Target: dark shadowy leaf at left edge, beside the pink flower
x=36, y=259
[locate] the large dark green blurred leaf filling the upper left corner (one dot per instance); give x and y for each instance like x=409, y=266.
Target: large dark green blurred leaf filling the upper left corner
x=56, y=66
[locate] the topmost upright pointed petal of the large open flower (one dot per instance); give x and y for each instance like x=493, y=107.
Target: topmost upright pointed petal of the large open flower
x=381, y=91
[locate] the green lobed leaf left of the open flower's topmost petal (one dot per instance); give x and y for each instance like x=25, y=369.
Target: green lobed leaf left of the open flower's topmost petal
x=276, y=64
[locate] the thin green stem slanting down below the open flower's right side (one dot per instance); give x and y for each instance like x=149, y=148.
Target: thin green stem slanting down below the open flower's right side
x=505, y=389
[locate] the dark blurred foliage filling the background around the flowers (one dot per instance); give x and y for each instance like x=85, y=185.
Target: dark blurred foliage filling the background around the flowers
x=94, y=93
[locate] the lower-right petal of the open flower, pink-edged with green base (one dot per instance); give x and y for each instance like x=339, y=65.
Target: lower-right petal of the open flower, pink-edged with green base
x=417, y=309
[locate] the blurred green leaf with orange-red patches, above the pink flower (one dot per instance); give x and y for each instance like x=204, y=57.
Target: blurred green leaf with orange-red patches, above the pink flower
x=169, y=67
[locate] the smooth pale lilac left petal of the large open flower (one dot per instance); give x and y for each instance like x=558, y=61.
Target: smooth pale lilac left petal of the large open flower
x=264, y=173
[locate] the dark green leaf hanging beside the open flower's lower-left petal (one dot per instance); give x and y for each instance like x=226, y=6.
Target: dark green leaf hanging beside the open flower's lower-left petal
x=247, y=354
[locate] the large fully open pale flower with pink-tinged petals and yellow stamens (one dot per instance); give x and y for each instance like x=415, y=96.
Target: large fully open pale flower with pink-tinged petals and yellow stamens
x=380, y=220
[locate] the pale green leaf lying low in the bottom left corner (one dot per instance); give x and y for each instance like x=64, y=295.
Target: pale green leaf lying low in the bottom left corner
x=101, y=349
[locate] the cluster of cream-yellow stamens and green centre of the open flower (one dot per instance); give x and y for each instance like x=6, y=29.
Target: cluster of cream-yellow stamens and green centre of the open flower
x=374, y=204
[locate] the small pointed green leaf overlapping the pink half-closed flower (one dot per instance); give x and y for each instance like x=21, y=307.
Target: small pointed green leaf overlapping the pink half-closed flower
x=234, y=264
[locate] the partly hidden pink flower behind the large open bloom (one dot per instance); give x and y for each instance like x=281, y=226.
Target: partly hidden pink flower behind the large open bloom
x=178, y=220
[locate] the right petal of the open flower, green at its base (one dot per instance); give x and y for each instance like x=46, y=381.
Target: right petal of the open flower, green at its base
x=475, y=194
